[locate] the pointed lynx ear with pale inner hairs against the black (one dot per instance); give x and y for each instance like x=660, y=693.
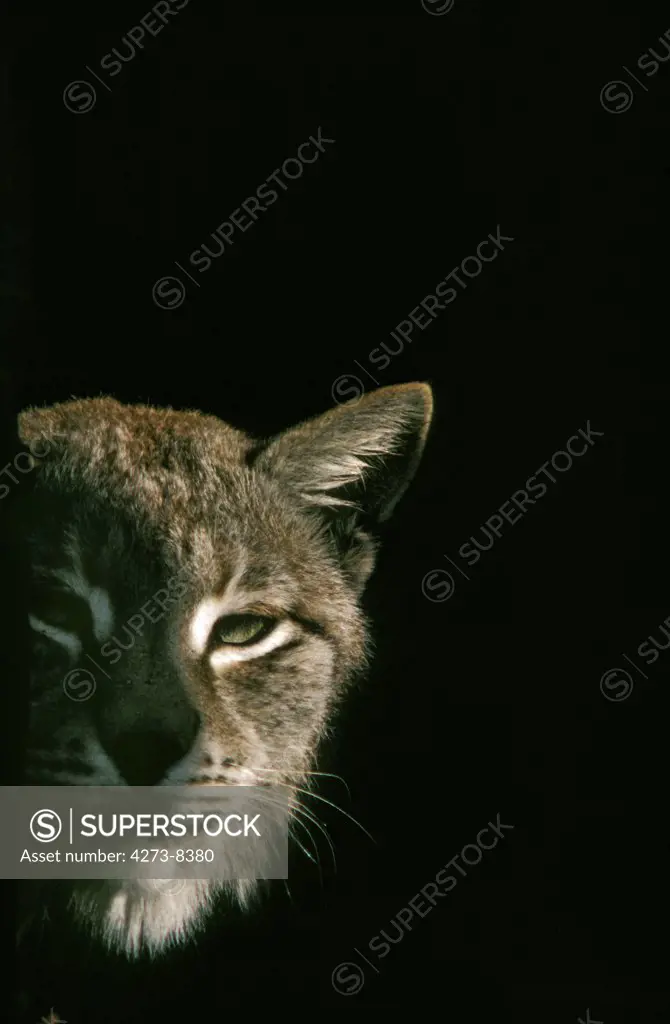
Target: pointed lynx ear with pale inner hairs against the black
x=359, y=458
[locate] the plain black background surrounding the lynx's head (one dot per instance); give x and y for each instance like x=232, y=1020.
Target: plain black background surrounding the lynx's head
x=446, y=127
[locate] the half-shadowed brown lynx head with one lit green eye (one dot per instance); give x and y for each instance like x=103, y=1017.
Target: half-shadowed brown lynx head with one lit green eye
x=258, y=552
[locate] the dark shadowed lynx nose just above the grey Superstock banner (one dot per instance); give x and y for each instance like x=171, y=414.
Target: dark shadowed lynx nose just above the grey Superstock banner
x=144, y=757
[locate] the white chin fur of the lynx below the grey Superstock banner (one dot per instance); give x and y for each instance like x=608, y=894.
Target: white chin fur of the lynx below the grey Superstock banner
x=137, y=917
